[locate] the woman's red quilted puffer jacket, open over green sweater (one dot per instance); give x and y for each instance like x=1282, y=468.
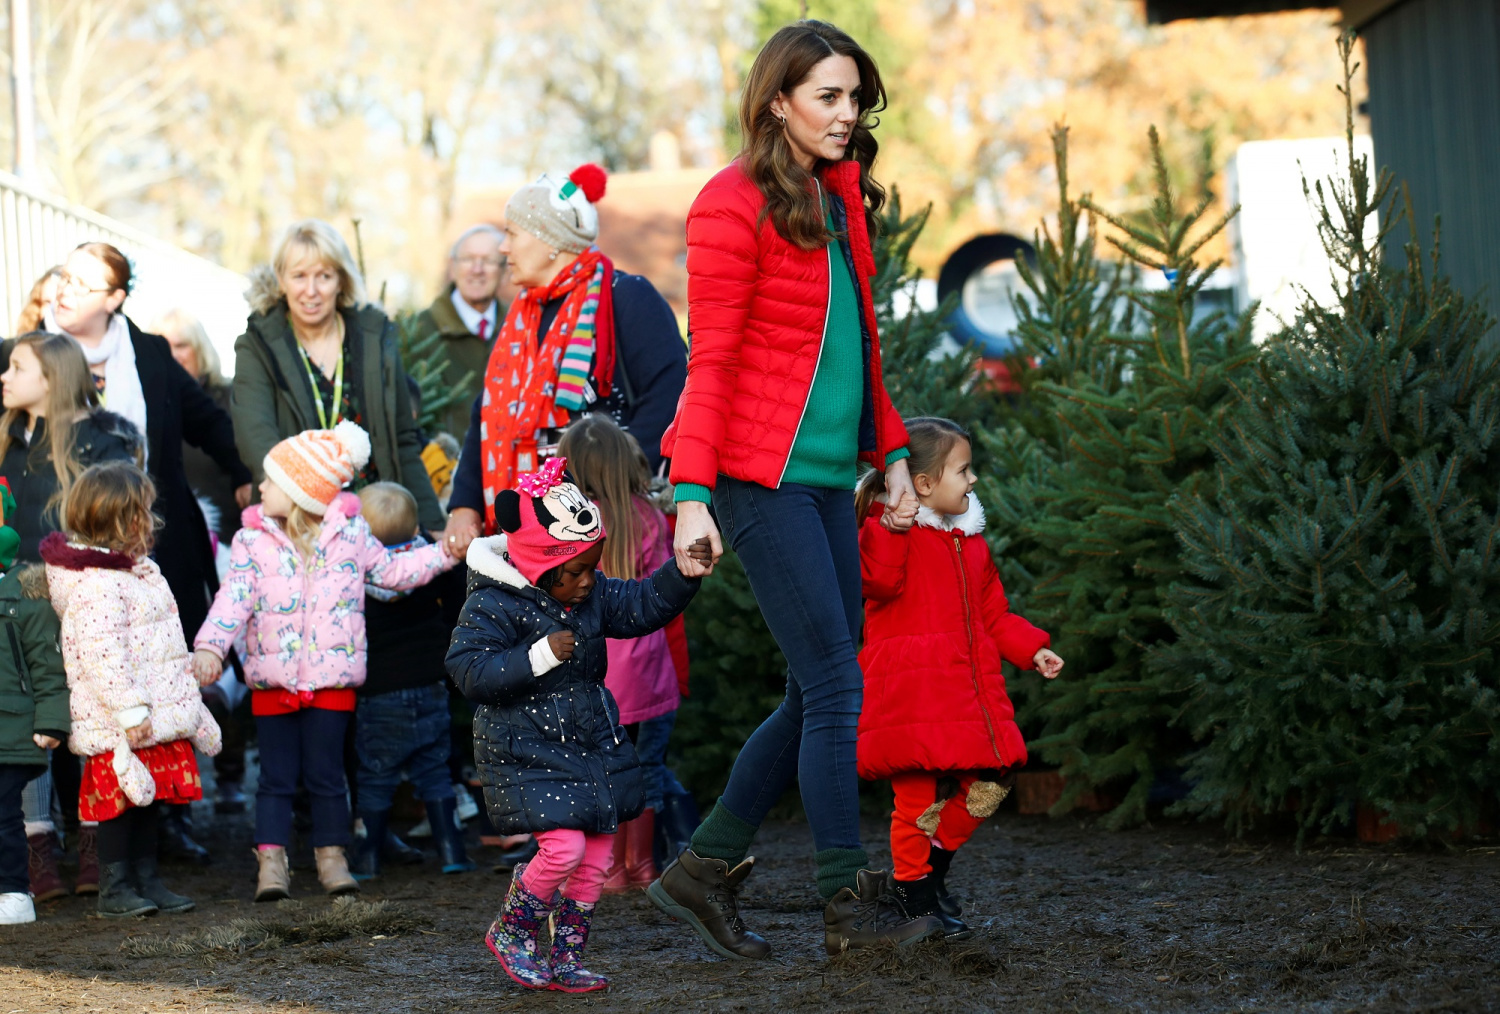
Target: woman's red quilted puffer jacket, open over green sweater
x=757, y=307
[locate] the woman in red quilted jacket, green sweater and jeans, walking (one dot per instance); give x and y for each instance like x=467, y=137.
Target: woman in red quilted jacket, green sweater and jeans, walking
x=784, y=400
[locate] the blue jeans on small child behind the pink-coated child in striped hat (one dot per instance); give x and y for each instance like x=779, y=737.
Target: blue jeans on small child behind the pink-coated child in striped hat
x=403, y=731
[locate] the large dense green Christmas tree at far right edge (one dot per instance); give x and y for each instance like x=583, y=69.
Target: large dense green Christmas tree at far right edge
x=1342, y=616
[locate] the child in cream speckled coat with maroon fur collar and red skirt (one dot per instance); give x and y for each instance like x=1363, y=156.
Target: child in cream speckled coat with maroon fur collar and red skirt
x=136, y=707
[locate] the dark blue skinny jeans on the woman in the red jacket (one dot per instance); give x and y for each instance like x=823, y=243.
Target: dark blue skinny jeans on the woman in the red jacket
x=800, y=548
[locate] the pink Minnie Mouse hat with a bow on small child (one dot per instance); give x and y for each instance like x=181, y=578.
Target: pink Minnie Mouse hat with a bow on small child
x=548, y=520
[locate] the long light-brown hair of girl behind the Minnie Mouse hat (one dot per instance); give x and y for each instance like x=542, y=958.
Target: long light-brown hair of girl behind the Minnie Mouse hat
x=611, y=469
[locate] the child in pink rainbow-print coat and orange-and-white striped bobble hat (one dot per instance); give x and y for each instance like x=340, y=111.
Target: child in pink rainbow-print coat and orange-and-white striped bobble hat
x=296, y=587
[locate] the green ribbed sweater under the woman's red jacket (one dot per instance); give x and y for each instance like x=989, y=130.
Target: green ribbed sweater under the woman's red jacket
x=827, y=448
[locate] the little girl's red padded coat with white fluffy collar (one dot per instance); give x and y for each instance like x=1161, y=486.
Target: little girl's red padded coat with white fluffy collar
x=937, y=628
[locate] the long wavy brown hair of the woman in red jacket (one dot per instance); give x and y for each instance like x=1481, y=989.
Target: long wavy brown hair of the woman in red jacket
x=791, y=200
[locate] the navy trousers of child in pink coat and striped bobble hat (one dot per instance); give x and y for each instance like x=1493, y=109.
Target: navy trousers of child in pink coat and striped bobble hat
x=307, y=745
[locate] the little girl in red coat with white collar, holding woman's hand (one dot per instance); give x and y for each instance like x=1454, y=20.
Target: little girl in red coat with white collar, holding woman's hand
x=937, y=721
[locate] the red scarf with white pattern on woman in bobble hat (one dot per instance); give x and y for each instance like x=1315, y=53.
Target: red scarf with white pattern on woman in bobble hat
x=521, y=380
